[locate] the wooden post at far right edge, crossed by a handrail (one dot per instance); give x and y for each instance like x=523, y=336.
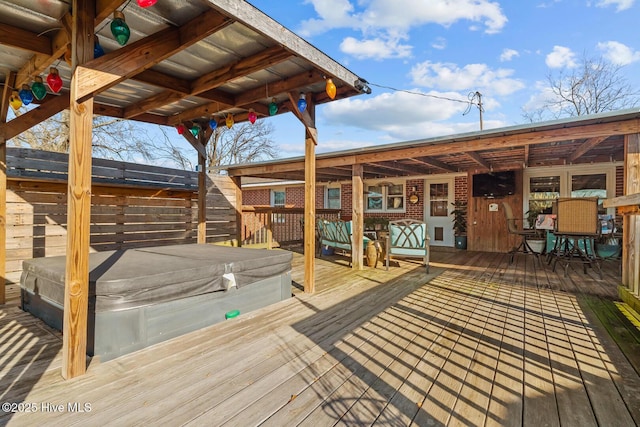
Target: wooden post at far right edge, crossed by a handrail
x=631, y=223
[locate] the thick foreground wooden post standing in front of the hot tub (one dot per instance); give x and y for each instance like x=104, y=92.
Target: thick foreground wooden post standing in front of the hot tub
x=76, y=289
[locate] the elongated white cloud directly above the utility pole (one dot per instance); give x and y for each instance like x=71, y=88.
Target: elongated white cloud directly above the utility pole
x=445, y=76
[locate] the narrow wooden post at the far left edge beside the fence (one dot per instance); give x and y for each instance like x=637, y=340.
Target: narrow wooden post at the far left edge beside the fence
x=4, y=108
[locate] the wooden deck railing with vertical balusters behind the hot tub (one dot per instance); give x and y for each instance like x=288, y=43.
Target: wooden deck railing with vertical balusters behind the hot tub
x=272, y=227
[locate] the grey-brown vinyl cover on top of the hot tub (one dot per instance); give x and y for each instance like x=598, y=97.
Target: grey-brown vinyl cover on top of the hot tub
x=130, y=278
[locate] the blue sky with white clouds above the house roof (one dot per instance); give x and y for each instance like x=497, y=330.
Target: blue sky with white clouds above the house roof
x=447, y=48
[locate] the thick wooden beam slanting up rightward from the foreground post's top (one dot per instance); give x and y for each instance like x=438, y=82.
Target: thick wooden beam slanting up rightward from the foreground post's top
x=114, y=67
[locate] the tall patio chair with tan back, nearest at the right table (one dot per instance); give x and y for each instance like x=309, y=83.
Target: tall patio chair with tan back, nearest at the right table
x=577, y=226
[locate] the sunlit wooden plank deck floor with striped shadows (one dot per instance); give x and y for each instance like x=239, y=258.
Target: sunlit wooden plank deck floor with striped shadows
x=475, y=342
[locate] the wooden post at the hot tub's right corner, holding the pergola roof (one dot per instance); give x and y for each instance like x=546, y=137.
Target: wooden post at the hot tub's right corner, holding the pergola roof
x=311, y=136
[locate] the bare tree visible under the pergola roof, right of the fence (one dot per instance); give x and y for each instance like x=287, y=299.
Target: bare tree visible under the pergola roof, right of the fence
x=243, y=143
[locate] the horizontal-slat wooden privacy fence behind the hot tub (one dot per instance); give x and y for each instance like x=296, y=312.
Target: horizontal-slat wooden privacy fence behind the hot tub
x=133, y=205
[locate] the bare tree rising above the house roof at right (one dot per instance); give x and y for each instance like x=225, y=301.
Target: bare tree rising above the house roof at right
x=594, y=86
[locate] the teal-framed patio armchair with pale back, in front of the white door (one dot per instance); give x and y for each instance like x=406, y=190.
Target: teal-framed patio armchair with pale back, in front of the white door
x=407, y=238
